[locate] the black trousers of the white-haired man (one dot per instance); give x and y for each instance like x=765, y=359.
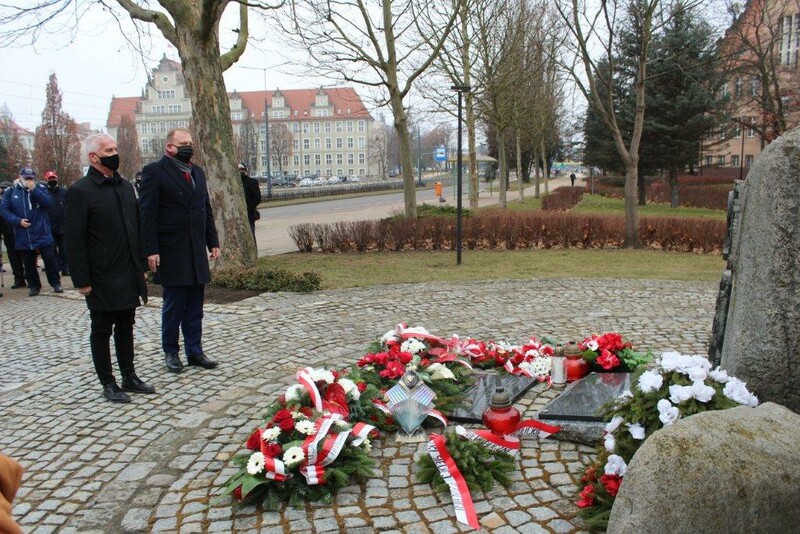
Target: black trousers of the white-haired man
x=102, y=323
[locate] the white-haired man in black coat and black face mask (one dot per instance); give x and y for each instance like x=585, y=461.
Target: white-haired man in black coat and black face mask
x=101, y=234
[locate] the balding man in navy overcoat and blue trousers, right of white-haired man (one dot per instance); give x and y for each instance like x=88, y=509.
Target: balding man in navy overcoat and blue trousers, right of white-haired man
x=178, y=229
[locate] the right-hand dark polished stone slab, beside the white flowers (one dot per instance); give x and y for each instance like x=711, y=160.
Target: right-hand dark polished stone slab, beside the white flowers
x=581, y=400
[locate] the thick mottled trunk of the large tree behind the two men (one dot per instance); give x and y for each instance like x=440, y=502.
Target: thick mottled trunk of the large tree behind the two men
x=211, y=116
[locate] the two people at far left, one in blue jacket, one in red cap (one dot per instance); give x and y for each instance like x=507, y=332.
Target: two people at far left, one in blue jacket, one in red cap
x=31, y=224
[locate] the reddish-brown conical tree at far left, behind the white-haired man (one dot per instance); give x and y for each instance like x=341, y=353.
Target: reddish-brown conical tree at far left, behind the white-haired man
x=56, y=146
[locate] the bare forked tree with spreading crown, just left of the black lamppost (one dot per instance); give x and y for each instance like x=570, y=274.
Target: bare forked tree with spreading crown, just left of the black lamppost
x=384, y=44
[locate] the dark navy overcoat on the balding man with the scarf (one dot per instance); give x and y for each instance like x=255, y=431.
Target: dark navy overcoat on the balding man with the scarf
x=177, y=222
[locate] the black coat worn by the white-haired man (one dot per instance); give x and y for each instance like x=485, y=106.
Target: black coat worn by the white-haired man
x=103, y=242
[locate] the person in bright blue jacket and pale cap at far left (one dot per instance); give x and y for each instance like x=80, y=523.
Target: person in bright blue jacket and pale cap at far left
x=25, y=207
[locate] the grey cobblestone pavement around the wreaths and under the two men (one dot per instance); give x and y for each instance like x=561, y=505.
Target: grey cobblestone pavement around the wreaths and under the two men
x=153, y=465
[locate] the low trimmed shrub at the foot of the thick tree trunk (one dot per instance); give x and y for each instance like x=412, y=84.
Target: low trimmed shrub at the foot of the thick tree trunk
x=262, y=278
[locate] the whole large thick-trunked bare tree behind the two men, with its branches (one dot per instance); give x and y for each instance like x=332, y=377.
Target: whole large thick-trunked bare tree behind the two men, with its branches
x=193, y=29
